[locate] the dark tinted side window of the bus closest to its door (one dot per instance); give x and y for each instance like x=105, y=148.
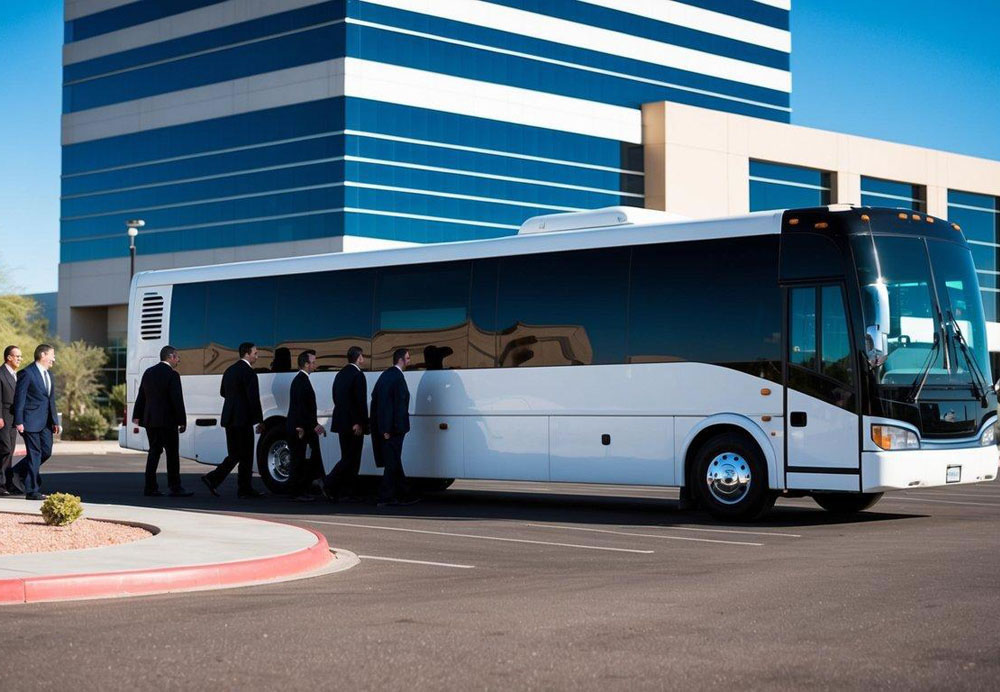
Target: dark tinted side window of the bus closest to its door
x=713, y=301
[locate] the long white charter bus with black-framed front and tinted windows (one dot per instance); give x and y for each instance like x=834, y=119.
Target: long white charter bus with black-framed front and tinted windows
x=836, y=352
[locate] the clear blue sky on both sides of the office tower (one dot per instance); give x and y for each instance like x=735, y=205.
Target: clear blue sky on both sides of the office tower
x=920, y=72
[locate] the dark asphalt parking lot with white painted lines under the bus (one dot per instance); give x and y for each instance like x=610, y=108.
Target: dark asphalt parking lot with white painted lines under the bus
x=535, y=585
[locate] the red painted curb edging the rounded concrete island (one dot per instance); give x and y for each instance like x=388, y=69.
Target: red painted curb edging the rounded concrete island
x=69, y=587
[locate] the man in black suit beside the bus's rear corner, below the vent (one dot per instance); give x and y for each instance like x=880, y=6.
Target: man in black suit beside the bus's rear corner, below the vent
x=159, y=408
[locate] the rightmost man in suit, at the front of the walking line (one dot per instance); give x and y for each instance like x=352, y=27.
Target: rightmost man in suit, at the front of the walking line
x=390, y=423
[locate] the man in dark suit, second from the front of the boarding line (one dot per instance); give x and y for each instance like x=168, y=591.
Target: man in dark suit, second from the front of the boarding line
x=350, y=420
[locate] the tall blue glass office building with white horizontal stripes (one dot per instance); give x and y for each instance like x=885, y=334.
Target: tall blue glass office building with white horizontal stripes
x=273, y=123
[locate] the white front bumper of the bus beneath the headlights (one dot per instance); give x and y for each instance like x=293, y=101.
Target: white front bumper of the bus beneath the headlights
x=925, y=468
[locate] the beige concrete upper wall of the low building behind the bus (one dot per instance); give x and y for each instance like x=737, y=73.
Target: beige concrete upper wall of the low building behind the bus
x=698, y=161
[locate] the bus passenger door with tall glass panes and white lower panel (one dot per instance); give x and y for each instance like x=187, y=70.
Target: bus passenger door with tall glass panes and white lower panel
x=822, y=425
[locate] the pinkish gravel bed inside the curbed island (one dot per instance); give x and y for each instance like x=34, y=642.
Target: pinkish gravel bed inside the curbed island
x=28, y=533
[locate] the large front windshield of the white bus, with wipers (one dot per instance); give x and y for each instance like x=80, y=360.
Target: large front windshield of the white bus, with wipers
x=934, y=304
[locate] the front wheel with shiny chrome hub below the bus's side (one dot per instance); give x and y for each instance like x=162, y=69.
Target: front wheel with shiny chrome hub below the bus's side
x=739, y=489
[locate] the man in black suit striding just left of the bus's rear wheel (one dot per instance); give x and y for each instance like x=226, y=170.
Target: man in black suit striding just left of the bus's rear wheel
x=241, y=417
